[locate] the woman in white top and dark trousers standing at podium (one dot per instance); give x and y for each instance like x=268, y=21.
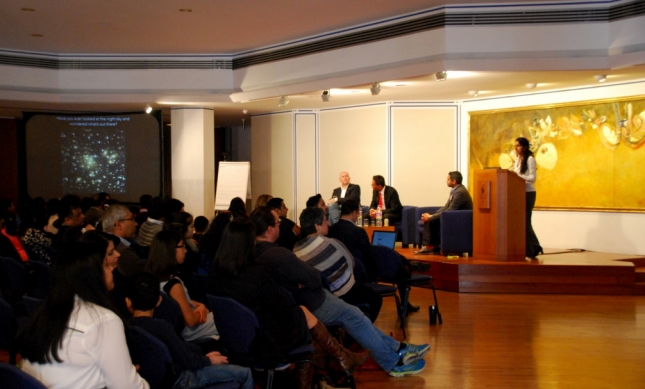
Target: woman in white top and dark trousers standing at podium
x=525, y=167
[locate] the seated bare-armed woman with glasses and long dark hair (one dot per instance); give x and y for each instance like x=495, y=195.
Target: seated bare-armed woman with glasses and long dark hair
x=167, y=252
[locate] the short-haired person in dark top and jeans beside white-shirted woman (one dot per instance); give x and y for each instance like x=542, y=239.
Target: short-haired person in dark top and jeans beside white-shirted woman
x=193, y=369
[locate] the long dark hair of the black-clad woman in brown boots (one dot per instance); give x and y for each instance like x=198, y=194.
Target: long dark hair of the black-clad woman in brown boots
x=236, y=249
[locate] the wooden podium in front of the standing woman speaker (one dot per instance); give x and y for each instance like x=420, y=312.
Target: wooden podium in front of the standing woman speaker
x=499, y=216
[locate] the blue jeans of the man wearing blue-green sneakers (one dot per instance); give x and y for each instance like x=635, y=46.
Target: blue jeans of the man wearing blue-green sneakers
x=384, y=348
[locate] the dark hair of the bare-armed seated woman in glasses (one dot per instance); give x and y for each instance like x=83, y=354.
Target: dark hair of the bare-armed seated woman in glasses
x=162, y=259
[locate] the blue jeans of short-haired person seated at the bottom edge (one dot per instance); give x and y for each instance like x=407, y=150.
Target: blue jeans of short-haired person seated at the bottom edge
x=215, y=374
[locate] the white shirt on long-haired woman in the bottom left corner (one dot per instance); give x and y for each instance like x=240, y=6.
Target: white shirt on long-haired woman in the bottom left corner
x=94, y=353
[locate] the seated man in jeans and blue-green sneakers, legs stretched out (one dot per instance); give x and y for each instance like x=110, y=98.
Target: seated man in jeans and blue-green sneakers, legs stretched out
x=303, y=281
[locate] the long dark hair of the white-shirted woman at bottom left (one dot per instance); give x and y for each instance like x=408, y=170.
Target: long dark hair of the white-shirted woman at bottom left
x=78, y=272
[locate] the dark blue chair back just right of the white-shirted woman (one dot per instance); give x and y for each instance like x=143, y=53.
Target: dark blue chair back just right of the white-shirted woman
x=153, y=358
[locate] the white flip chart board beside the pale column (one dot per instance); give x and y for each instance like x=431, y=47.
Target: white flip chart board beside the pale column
x=233, y=180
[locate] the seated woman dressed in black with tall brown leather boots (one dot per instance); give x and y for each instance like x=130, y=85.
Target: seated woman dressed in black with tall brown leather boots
x=283, y=324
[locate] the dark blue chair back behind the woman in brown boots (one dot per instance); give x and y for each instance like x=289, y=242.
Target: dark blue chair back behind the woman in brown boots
x=237, y=324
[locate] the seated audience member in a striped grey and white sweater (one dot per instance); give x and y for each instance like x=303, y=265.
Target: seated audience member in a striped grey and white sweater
x=334, y=261
